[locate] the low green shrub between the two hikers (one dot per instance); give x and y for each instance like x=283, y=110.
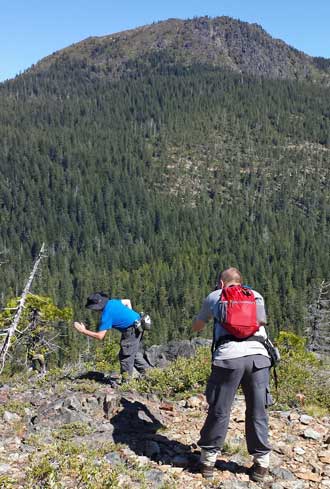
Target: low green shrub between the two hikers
x=181, y=378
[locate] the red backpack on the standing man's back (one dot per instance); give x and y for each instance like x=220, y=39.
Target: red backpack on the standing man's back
x=239, y=316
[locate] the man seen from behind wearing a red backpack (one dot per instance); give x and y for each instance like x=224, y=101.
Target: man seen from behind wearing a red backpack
x=235, y=362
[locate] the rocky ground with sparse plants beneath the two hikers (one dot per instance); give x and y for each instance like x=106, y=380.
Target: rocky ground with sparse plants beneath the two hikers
x=146, y=434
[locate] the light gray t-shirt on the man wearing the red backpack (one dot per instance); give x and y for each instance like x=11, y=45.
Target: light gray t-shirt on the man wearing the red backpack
x=233, y=349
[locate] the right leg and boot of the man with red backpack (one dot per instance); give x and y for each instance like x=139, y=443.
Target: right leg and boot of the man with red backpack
x=255, y=385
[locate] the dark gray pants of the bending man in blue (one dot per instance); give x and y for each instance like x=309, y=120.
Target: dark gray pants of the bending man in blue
x=129, y=354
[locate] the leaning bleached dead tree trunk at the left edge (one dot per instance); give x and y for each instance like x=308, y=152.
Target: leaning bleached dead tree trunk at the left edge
x=11, y=330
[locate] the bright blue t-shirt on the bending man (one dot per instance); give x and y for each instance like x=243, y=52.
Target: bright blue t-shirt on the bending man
x=116, y=315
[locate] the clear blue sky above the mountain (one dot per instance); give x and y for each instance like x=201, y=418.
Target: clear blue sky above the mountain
x=33, y=29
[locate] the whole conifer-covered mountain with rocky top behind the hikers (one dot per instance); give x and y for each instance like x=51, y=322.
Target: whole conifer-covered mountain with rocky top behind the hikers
x=150, y=159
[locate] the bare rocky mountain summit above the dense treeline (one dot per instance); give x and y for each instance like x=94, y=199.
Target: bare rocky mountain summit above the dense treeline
x=219, y=42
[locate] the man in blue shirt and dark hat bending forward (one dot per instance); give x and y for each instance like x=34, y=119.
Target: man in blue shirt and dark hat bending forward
x=118, y=314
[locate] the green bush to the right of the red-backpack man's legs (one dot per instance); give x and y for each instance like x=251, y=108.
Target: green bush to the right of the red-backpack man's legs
x=300, y=372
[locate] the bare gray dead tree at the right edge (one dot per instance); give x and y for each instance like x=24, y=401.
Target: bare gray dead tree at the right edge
x=318, y=329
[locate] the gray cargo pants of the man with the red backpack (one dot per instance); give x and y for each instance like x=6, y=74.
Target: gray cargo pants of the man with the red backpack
x=252, y=373
